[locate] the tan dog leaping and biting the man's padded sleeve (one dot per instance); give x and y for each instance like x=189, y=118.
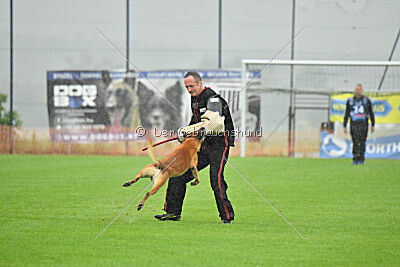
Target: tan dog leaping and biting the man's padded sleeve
x=183, y=158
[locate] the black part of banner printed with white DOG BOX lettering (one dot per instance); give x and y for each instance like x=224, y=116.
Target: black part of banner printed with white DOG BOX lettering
x=75, y=100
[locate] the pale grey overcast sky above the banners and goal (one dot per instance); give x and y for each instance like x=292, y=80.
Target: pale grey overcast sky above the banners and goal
x=59, y=35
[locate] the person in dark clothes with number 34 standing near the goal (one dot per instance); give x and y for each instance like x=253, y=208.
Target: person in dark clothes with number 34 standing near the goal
x=359, y=109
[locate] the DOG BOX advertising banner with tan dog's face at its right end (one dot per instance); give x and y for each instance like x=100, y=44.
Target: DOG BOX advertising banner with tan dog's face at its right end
x=90, y=106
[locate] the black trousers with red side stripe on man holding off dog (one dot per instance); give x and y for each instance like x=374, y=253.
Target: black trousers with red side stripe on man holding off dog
x=213, y=155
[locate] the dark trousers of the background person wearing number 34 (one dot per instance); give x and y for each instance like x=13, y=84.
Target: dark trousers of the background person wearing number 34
x=359, y=133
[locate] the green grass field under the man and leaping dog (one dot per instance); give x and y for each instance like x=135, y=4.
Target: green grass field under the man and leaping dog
x=52, y=208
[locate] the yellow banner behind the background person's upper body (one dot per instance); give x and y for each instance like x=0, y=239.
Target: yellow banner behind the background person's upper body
x=386, y=107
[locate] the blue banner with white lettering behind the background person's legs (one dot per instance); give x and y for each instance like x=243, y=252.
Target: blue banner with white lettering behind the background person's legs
x=333, y=146
